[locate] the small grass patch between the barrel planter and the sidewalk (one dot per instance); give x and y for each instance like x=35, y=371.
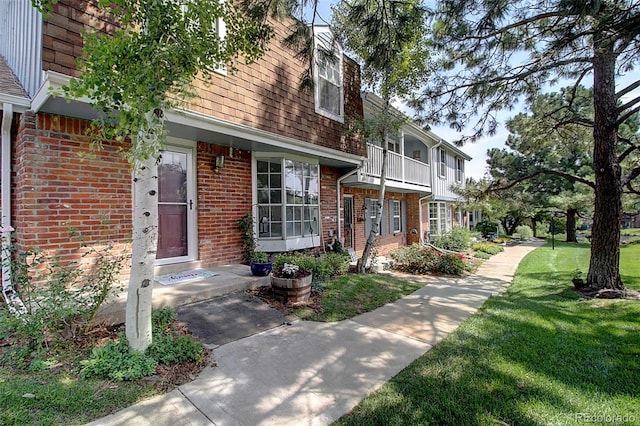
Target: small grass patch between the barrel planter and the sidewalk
x=351, y=295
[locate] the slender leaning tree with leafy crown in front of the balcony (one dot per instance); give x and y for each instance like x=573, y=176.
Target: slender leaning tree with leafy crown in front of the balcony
x=388, y=40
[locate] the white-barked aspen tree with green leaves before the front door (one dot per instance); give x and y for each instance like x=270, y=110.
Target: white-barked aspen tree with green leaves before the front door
x=142, y=68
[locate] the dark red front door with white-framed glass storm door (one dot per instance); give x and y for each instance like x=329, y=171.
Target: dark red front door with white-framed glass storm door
x=176, y=212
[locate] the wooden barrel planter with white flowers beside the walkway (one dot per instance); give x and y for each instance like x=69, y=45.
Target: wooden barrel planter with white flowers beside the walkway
x=292, y=276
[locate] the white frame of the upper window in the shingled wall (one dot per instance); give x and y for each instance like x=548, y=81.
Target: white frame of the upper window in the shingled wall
x=323, y=40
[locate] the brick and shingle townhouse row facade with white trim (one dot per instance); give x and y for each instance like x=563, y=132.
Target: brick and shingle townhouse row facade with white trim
x=250, y=141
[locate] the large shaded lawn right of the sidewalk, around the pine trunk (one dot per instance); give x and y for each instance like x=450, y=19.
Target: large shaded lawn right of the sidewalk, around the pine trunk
x=538, y=355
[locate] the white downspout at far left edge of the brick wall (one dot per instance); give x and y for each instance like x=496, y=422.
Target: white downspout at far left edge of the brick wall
x=10, y=296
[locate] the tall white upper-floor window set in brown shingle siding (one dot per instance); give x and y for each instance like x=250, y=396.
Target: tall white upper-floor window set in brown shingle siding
x=329, y=91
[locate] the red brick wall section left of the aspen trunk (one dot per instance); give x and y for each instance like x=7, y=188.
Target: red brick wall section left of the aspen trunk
x=58, y=195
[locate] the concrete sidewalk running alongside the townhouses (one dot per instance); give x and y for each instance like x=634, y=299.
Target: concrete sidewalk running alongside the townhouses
x=310, y=373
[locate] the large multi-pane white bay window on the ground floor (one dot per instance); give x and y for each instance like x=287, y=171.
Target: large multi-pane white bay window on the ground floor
x=288, y=198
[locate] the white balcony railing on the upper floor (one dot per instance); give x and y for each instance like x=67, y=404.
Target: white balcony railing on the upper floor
x=400, y=168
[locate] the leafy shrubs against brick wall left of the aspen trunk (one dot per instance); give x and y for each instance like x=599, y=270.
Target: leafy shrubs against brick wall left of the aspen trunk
x=61, y=299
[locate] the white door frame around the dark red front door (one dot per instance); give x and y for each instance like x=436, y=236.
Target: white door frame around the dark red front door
x=187, y=147
